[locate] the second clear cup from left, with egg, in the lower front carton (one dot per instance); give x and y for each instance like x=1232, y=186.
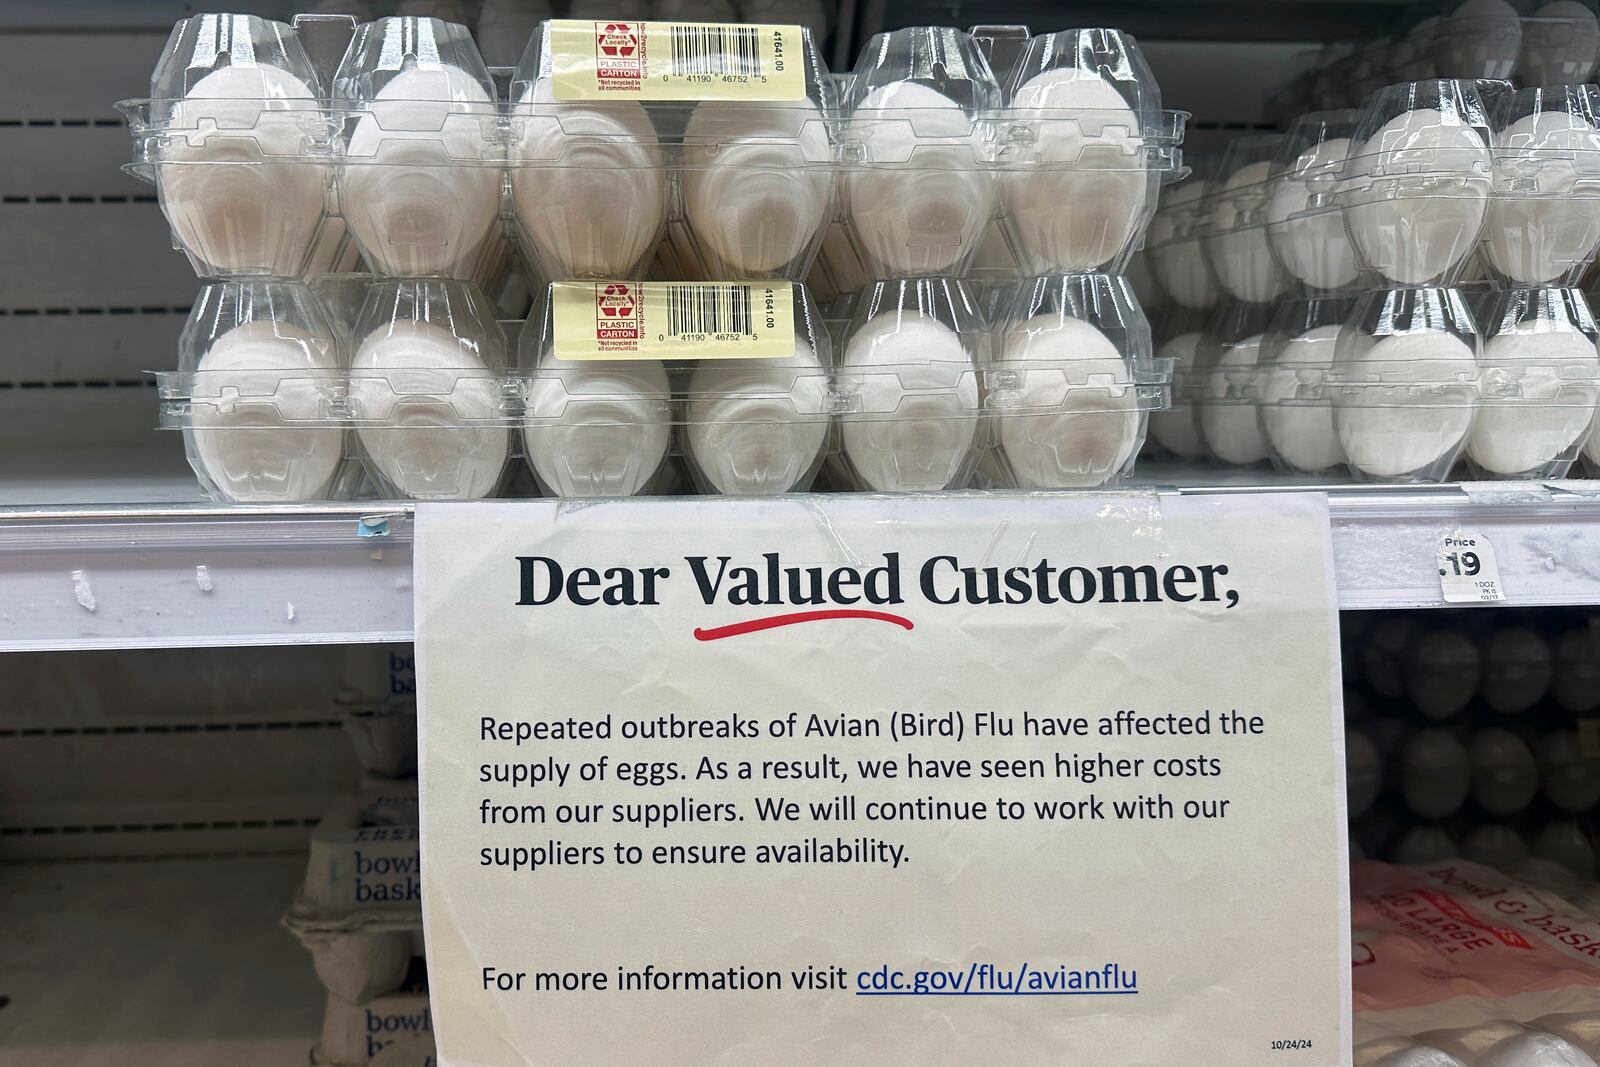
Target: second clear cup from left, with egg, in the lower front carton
x=430, y=401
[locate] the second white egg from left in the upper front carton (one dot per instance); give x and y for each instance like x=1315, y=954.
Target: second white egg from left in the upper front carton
x=420, y=188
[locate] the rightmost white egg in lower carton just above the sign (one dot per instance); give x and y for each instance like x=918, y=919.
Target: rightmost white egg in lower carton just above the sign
x=1079, y=422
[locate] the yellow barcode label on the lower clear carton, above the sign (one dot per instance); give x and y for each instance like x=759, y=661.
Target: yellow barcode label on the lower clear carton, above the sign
x=673, y=321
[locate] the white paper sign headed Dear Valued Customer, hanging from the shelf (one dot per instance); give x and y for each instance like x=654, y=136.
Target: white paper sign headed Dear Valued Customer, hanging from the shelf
x=862, y=781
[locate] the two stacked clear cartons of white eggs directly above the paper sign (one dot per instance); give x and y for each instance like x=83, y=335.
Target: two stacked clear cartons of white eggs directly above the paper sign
x=292, y=391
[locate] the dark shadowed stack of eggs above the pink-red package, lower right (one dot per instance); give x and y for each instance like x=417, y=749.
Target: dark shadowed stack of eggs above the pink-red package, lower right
x=1494, y=753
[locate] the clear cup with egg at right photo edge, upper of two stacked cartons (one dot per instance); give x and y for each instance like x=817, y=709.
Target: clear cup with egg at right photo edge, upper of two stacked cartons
x=1543, y=223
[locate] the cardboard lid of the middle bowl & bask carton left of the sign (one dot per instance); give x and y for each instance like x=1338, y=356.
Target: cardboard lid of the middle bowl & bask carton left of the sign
x=375, y=833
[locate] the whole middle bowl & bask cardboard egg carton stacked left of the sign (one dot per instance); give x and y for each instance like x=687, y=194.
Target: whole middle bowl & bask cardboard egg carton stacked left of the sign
x=359, y=911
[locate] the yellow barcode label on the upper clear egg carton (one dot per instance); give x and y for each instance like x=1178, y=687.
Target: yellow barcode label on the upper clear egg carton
x=676, y=62
